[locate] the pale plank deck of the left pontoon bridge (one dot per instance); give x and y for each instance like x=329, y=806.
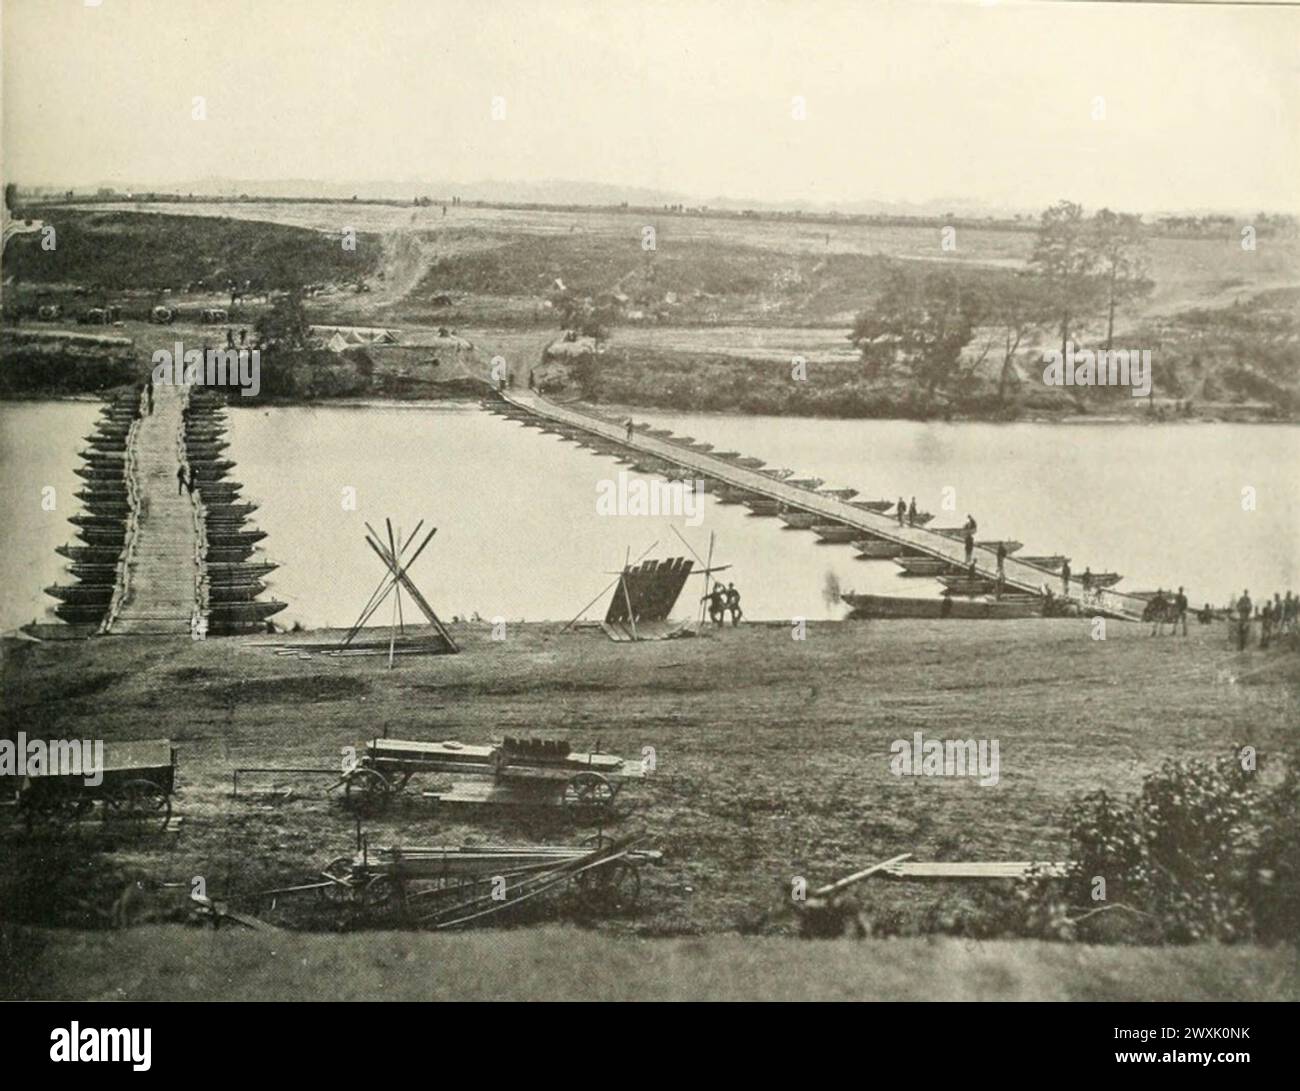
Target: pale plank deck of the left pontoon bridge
x=159, y=578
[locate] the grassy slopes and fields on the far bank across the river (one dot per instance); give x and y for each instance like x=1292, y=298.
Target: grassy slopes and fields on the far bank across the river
x=709, y=319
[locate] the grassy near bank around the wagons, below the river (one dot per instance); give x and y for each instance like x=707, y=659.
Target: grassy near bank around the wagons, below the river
x=773, y=755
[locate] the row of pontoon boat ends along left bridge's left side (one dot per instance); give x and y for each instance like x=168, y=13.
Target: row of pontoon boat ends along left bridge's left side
x=103, y=521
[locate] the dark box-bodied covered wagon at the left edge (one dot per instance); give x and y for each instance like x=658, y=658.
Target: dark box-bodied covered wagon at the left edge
x=135, y=791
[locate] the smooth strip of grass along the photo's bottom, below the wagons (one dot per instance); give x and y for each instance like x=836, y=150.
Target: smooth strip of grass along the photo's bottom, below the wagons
x=170, y=964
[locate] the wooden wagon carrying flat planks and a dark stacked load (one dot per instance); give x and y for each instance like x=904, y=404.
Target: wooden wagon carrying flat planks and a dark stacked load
x=517, y=772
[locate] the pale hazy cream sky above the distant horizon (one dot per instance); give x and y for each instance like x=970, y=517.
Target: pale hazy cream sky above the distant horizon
x=908, y=101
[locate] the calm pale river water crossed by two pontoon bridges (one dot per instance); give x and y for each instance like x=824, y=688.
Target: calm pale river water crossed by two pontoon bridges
x=519, y=535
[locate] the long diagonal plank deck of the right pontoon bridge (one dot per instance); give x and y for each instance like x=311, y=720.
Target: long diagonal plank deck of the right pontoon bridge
x=1019, y=575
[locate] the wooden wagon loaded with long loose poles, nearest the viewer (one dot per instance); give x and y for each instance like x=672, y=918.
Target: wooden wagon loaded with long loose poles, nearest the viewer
x=448, y=886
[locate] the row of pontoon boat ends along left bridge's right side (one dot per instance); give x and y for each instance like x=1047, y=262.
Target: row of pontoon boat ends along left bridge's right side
x=233, y=569
